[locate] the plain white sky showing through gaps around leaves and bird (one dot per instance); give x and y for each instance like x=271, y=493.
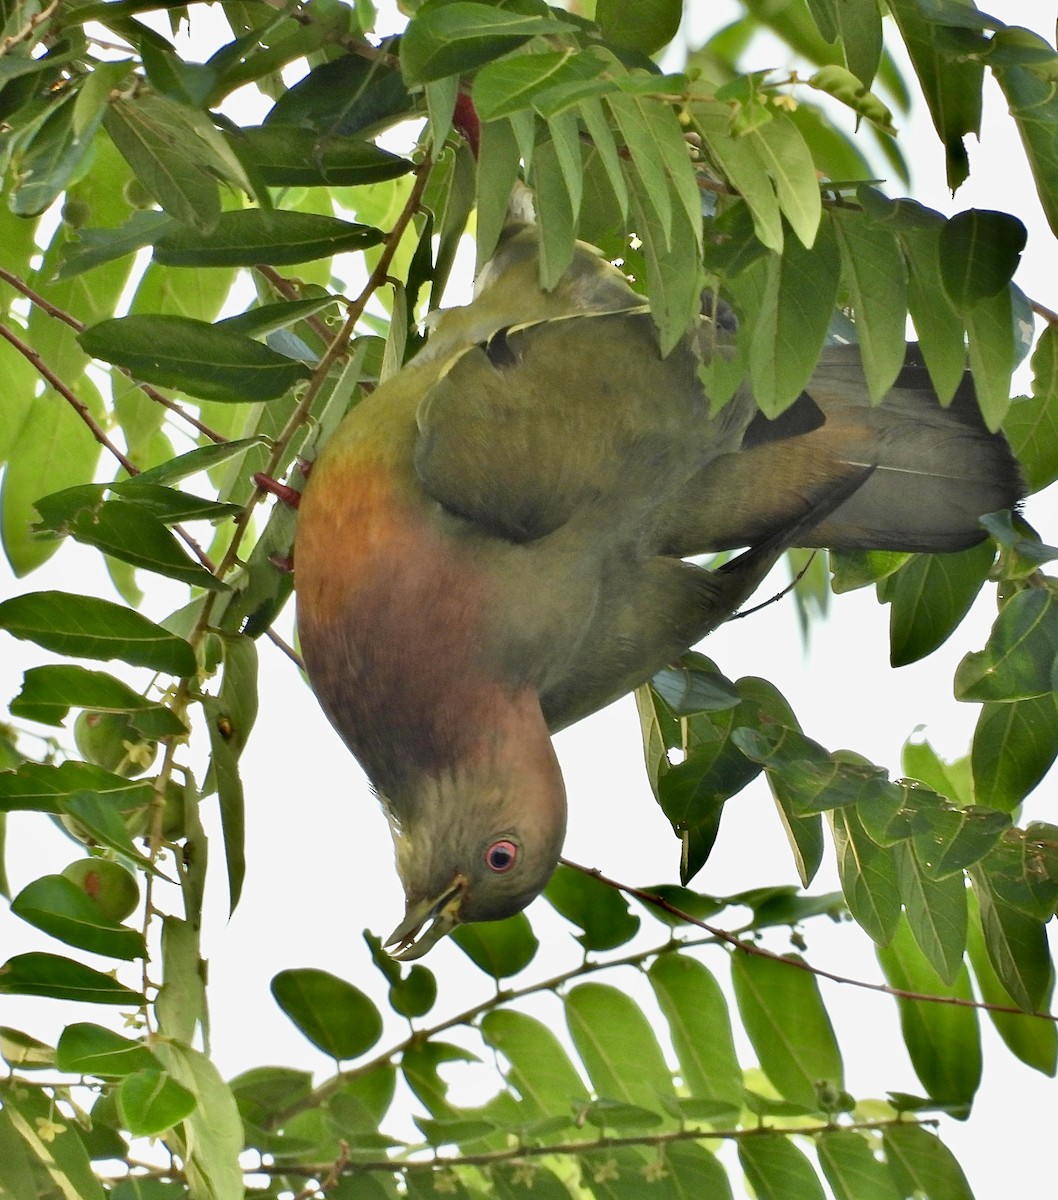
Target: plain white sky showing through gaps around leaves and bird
x=320, y=855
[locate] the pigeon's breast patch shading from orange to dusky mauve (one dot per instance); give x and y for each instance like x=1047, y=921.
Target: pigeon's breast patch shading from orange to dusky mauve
x=392, y=610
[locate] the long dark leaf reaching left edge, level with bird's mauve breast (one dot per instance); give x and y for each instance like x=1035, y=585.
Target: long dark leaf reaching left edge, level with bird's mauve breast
x=89, y=628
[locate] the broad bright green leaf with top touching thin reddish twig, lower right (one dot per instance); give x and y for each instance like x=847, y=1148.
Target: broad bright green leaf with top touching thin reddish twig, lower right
x=784, y=1016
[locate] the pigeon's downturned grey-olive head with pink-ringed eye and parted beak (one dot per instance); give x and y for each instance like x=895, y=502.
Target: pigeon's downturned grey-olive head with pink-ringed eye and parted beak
x=479, y=841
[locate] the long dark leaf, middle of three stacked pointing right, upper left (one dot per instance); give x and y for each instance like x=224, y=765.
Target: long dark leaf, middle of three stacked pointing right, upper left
x=280, y=237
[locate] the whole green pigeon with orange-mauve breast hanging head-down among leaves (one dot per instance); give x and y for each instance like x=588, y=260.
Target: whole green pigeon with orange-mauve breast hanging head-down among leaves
x=500, y=541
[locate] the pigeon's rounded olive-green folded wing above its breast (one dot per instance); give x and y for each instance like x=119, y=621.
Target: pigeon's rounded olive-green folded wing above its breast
x=542, y=421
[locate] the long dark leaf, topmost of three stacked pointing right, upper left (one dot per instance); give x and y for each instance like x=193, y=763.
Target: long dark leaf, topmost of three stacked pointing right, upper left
x=287, y=157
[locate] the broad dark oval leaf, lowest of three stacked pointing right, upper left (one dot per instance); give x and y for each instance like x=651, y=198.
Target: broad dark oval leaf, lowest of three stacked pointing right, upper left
x=194, y=356
